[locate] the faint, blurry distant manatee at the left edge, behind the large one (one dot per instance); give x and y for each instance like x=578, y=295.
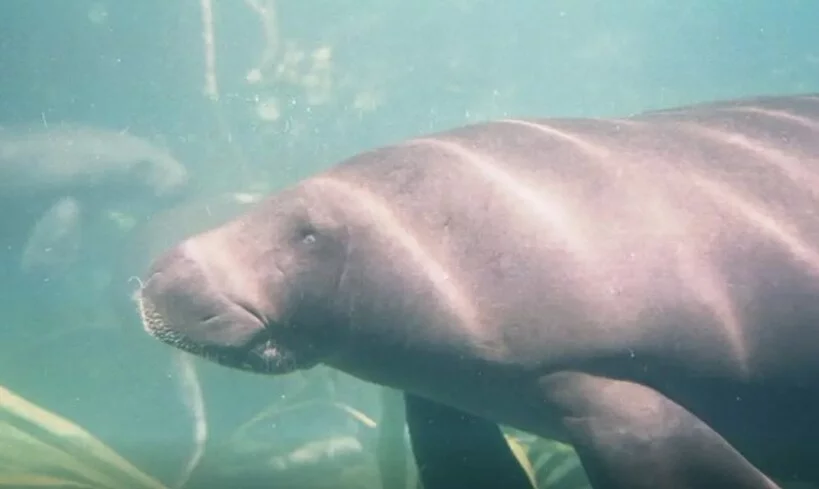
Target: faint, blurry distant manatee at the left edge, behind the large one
x=52, y=178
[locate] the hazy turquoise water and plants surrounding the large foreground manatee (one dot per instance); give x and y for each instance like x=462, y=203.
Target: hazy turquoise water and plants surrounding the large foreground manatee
x=192, y=110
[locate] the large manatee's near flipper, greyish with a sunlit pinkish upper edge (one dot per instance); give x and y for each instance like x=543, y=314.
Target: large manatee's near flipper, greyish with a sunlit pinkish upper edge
x=629, y=436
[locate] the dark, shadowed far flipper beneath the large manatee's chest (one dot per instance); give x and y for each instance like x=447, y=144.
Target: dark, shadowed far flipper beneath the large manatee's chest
x=453, y=449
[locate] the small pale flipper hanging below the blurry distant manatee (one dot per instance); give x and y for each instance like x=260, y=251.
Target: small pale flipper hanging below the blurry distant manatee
x=54, y=241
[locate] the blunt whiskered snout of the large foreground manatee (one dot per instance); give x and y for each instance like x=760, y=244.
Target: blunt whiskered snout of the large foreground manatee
x=188, y=304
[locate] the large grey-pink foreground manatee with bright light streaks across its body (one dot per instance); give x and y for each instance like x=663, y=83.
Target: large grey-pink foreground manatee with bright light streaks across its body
x=644, y=288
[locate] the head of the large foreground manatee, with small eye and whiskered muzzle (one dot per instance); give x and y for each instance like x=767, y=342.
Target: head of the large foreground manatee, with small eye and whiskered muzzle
x=260, y=293
